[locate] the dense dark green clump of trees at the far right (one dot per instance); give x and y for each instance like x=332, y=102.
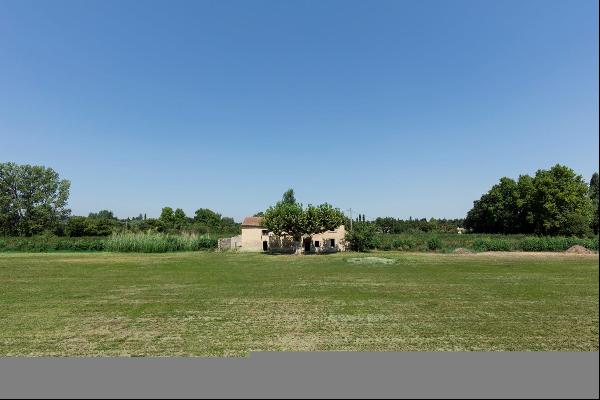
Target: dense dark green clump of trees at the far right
x=552, y=202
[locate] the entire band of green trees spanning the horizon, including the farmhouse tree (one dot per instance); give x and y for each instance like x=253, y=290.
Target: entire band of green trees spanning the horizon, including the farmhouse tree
x=33, y=200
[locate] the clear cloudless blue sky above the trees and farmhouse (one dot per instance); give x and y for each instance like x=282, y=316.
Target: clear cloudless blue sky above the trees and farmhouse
x=394, y=108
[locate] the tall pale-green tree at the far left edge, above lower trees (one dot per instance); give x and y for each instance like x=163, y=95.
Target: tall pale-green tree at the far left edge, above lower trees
x=33, y=199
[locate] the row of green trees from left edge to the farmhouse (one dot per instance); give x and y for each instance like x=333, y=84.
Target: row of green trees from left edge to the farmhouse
x=33, y=200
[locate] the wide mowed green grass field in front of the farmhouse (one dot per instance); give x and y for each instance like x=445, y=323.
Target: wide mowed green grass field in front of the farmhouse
x=227, y=304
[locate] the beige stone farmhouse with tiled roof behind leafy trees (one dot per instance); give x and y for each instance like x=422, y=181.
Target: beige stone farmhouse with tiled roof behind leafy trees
x=255, y=237
